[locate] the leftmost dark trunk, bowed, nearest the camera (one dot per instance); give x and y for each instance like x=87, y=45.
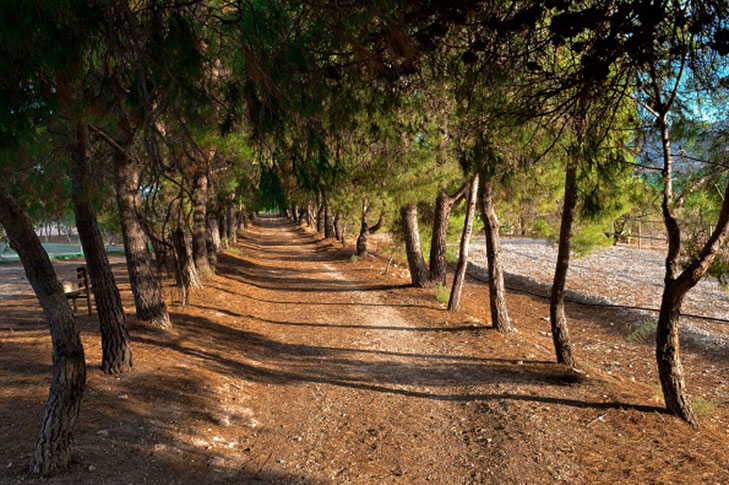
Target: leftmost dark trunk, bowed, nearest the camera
x=53, y=442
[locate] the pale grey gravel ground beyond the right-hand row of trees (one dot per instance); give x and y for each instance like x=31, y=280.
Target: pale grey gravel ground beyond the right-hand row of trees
x=617, y=275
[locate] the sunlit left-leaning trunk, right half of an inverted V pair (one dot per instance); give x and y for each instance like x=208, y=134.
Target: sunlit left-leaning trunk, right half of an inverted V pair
x=497, y=294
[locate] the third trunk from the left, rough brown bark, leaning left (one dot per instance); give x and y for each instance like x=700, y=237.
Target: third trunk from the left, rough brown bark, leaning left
x=147, y=296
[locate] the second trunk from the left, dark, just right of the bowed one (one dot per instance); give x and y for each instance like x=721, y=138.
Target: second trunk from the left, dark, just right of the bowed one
x=116, y=351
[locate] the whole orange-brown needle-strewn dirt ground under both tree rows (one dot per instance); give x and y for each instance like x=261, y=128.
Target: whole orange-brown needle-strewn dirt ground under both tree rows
x=297, y=365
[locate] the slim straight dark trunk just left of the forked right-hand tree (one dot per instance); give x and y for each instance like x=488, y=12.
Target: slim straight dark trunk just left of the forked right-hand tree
x=560, y=332
